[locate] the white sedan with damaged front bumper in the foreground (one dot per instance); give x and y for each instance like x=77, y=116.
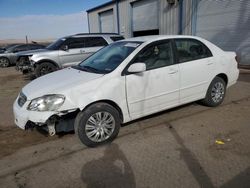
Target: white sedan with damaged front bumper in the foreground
x=124, y=81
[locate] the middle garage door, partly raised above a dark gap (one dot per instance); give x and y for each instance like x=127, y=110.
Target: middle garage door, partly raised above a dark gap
x=145, y=15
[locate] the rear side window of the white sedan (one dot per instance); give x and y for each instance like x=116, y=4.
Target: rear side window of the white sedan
x=190, y=49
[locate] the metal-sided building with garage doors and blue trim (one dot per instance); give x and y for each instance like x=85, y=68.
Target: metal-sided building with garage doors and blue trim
x=223, y=22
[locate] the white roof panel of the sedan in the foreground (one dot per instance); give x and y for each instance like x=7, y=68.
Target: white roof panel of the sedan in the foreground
x=152, y=38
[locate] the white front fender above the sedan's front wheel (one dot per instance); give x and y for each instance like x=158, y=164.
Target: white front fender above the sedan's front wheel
x=106, y=89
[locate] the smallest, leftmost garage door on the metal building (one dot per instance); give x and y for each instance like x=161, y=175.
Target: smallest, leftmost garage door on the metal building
x=107, y=21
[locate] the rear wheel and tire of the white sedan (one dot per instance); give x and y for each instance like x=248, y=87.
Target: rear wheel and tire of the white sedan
x=215, y=93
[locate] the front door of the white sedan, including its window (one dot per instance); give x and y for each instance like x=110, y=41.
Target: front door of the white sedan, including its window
x=157, y=88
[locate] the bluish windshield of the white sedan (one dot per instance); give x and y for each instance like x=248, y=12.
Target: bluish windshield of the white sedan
x=108, y=58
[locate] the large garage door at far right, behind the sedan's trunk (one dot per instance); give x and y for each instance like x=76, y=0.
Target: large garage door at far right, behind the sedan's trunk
x=227, y=24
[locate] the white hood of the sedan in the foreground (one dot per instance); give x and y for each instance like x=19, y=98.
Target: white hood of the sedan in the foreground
x=57, y=82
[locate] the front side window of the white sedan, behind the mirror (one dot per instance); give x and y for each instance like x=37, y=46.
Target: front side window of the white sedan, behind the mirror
x=156, y=56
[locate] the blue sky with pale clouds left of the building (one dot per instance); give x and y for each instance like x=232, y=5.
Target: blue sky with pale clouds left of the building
x=44, y=19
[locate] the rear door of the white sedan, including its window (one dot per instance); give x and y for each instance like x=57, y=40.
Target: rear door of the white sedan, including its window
x=196, y=69
